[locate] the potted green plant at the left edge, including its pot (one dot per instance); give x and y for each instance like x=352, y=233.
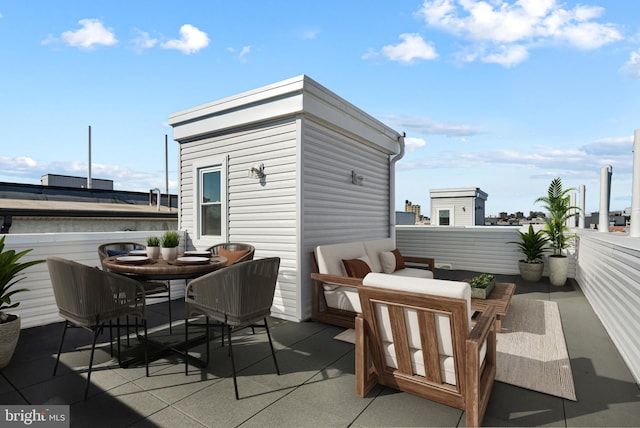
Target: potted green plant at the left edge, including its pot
x=10, y=269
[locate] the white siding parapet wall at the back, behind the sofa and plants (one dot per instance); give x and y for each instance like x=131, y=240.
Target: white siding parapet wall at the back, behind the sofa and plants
x=473, y=248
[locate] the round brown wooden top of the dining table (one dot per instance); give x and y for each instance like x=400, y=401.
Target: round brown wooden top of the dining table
x=163, y=269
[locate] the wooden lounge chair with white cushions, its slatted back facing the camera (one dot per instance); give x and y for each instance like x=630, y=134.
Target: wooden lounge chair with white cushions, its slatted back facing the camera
x=415, y=335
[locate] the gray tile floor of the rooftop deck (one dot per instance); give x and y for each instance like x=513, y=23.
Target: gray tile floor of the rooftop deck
x=317, y=383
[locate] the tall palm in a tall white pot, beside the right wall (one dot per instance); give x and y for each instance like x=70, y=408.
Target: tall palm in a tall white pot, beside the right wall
x=560, y=210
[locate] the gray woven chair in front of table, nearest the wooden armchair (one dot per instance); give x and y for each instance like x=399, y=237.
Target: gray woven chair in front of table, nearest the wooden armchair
x=237, y=296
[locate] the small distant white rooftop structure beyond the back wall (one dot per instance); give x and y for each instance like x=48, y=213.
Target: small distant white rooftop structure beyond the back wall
x=457, y=207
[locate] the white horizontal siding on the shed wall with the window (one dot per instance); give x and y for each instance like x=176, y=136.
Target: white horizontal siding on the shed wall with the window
x=262, y=213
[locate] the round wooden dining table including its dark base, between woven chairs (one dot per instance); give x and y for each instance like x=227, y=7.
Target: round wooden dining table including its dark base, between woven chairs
x=145, y=269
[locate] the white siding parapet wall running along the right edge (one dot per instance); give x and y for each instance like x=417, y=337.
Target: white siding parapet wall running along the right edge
x=608, y=273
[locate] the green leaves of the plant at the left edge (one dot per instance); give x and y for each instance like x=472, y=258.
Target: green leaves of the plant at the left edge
x=10, y=270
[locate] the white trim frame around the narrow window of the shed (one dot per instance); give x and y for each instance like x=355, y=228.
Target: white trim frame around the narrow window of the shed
x=199, y=165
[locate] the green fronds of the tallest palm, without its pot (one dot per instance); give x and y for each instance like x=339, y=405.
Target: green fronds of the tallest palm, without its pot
x=557, y=203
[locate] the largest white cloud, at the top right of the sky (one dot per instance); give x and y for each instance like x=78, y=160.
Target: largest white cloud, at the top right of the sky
x=503, y=30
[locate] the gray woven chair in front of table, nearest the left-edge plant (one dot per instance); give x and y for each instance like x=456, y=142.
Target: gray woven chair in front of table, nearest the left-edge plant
x=90, y=298
